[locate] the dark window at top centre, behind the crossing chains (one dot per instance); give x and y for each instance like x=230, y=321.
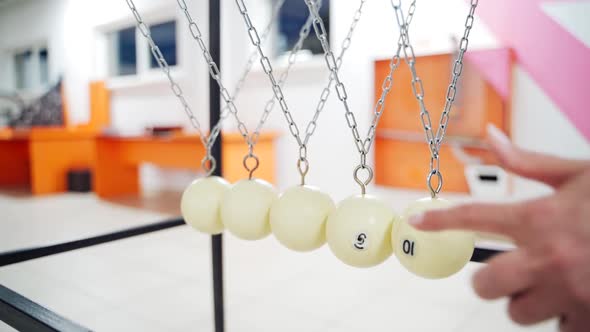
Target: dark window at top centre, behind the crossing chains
x=292, y=16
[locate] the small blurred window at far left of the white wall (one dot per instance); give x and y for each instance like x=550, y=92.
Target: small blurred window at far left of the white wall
x=31, y=68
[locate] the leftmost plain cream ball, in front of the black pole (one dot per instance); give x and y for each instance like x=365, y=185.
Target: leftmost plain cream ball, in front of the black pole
x=200, y=202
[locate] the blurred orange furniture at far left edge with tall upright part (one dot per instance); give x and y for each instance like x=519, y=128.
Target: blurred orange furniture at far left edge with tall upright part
x=41, y=156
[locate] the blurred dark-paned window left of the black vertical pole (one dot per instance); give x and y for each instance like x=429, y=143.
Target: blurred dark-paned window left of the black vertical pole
x=129, y=52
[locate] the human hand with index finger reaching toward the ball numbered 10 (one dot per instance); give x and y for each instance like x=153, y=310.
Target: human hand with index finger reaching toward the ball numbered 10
x=548, y=274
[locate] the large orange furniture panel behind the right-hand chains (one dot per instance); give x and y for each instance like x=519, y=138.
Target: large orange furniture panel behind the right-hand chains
x=401, y=153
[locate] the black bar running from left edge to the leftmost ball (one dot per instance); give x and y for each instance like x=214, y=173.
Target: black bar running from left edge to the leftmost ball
x=21, y=255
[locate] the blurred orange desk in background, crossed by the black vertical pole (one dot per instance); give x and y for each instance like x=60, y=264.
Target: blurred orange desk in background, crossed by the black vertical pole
x=118, y=159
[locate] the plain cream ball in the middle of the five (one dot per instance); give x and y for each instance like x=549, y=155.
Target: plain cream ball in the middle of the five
x=298, y=218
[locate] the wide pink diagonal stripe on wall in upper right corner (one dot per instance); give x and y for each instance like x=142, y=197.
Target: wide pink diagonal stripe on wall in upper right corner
x=555, y=59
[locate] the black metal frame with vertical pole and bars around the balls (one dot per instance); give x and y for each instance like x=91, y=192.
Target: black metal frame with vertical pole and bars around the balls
x=26, y=315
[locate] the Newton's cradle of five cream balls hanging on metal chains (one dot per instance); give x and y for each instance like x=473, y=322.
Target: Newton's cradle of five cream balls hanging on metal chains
x=361, y=231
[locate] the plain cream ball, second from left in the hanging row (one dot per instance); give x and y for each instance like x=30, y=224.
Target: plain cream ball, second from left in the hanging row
x=245, y=209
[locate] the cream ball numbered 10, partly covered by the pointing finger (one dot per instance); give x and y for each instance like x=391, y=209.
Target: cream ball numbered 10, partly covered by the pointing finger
x=431, y=255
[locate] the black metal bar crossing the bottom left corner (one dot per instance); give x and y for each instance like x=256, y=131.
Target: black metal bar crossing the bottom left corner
x=26, y=315
